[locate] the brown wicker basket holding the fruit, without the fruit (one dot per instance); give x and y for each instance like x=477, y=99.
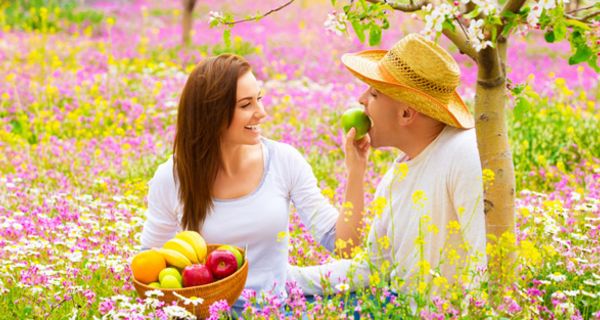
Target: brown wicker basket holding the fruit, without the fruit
x=229, y=288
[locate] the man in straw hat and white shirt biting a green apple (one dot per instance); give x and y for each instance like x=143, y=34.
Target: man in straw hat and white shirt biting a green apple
x=432, y=223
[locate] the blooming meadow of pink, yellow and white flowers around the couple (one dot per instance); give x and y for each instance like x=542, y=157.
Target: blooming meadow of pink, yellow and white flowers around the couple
x=88, y=101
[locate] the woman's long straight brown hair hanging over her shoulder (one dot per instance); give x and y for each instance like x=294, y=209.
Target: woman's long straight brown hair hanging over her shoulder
x=206, y=108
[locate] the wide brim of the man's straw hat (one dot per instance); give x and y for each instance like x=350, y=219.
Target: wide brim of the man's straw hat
x=365, y=66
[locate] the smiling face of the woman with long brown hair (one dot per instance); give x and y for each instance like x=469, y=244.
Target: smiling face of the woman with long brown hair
x=249, y=113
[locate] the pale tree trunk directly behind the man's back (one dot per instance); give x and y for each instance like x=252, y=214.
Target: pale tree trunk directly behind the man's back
x=492, y=139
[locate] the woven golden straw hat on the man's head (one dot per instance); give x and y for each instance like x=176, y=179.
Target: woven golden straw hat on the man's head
x=417, y=71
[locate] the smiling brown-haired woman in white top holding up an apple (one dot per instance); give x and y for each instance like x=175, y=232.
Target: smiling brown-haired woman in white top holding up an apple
x=233, y=186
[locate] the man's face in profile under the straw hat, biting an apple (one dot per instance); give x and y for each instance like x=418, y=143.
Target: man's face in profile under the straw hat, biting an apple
x=383, y=113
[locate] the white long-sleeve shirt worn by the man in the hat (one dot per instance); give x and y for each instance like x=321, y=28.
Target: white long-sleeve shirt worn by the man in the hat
x=432, y=203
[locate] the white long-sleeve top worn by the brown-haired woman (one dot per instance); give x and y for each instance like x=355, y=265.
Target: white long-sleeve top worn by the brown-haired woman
x=257, y=220
